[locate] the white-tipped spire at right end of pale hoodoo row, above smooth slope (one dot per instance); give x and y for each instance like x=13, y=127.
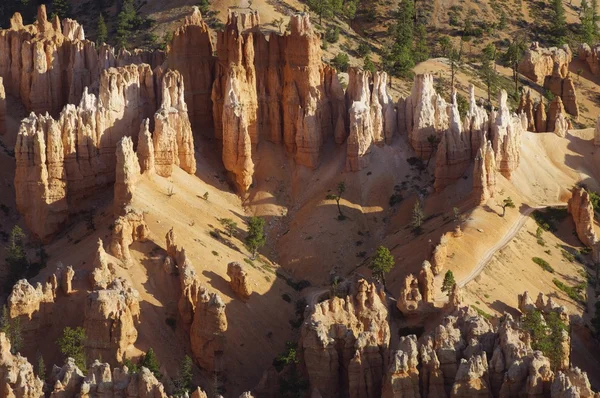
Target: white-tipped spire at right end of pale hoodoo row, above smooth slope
x=506, y=138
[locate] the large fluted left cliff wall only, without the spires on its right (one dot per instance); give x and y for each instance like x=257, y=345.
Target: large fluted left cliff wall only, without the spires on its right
x=61, y=162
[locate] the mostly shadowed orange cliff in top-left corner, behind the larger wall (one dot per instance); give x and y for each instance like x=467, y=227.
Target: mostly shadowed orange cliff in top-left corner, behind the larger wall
x=48, y=66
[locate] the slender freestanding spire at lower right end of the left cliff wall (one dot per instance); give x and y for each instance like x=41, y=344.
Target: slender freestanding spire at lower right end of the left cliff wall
x=127, y=174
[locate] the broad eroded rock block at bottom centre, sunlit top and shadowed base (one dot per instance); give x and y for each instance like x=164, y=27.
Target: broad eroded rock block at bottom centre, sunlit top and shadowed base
x=345, y=342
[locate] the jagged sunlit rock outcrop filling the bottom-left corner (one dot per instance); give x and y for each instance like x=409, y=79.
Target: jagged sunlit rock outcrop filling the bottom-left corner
x=18, y=378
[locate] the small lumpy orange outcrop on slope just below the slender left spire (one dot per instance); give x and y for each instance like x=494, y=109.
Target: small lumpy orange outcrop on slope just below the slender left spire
x=127, y=229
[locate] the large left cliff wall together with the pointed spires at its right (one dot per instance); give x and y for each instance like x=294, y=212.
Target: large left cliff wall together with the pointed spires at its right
x=62, y=162
